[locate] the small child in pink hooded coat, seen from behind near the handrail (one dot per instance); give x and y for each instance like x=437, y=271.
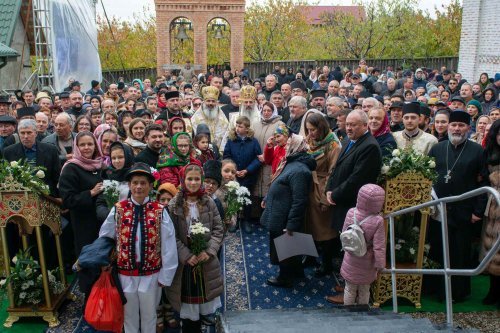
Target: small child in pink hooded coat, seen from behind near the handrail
x=360, y=272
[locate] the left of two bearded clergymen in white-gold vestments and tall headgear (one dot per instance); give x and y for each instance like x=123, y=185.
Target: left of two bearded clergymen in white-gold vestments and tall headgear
x=211, y=115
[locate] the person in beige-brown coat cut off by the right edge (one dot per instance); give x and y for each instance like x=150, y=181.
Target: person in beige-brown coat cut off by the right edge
x=491, y=227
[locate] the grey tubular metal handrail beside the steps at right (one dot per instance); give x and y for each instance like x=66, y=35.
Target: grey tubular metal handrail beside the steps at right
x=446, y=270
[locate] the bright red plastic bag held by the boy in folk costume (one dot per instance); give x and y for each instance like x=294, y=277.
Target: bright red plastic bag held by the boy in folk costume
x=104, y=309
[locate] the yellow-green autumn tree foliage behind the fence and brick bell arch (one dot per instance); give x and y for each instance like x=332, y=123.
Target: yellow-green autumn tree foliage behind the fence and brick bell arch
x=278, y=30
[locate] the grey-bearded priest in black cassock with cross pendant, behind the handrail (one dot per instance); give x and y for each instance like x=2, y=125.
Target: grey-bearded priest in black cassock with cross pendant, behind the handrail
x=461, y=167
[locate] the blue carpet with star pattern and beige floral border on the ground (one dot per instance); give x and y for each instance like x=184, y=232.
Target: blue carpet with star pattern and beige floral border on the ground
x=246, y=268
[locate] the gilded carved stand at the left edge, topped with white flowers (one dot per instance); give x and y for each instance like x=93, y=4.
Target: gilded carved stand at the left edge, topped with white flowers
x=30, y=211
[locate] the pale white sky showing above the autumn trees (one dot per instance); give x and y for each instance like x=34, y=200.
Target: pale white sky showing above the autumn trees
x=124, y=9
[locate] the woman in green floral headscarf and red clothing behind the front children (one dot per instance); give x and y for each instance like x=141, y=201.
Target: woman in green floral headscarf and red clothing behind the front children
x=174, y=157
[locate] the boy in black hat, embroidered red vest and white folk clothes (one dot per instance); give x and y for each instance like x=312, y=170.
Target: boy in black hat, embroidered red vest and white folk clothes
x=146, y=248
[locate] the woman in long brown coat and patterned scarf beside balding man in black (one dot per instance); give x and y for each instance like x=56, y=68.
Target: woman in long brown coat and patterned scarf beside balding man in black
x=324, y=147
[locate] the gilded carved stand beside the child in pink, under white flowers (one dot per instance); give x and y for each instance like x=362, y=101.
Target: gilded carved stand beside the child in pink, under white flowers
x=406, y=190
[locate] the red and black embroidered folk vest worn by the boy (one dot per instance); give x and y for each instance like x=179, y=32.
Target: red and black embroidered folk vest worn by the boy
x=129, y=218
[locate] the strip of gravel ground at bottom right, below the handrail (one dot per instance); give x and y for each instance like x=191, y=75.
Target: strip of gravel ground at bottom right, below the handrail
x=485, y=322
